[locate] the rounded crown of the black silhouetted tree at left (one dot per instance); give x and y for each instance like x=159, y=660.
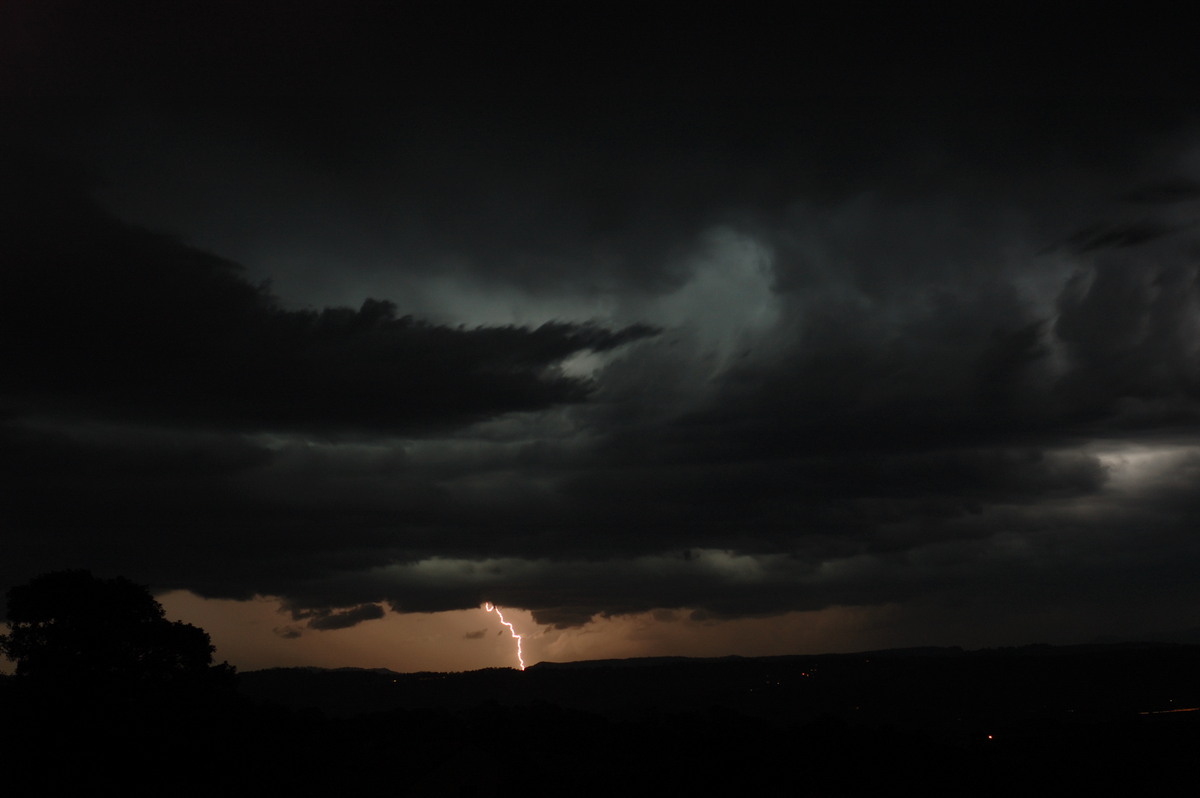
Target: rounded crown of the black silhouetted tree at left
x=74, y=628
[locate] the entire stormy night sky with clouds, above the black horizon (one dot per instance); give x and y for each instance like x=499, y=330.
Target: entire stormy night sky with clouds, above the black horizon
x=669, y=334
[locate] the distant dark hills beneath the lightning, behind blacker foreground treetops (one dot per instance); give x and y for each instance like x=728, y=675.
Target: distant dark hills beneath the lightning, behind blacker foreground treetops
x=935, y=688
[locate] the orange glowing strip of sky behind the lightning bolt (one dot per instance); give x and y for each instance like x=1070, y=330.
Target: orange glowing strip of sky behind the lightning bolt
x=262, y=633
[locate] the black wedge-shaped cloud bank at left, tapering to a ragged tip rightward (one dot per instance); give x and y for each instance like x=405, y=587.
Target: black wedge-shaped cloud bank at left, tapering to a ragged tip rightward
x=105, y=320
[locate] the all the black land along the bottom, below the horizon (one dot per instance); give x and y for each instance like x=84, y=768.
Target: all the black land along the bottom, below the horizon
x=1036, y=721
